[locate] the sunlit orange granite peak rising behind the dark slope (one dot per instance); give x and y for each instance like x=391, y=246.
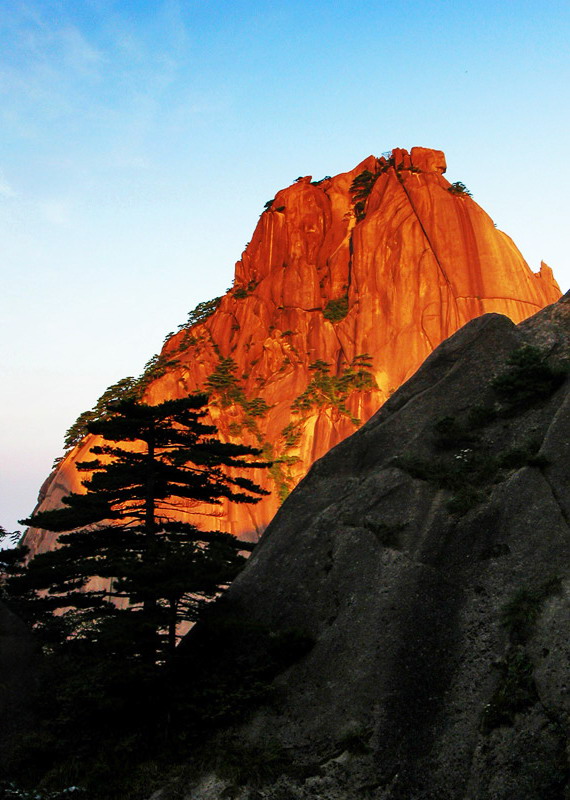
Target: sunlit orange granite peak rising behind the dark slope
x=388, y=268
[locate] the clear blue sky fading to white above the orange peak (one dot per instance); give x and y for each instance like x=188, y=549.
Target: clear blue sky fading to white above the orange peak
x=140, y=140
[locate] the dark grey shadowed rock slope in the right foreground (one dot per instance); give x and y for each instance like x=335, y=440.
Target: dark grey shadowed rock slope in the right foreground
x=428, y=556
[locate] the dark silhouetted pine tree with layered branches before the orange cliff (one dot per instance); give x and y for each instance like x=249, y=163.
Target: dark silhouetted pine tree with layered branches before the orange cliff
x=126, y=574
